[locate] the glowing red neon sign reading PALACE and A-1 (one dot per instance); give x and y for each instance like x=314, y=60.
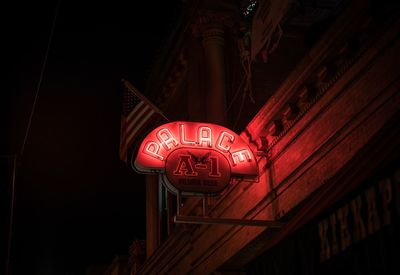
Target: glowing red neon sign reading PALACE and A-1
x=195, y=157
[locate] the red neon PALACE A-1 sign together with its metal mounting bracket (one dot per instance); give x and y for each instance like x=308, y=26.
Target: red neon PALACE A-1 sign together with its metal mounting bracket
x=198, y=159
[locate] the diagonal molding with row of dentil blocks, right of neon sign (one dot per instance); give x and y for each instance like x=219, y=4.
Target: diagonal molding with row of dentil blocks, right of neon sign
x=302, y=90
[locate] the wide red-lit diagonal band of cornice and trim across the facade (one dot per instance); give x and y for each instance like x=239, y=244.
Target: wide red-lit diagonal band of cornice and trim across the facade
x=326, y=142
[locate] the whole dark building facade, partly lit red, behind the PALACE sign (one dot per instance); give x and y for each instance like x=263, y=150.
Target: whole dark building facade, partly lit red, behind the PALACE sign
x=319, y=104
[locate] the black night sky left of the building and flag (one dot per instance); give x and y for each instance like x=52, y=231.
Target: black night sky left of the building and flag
x=76, y=202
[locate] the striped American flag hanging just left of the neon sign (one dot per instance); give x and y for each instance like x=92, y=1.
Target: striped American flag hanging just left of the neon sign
x=137, y=114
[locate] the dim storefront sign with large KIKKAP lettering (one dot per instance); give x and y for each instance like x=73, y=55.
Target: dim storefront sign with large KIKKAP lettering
x=365, y=214
